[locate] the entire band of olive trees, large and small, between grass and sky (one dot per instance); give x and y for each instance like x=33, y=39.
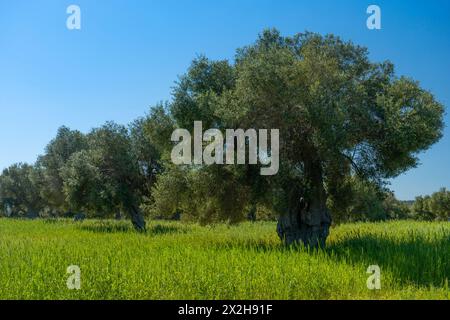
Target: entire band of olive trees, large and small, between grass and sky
x=347, y=125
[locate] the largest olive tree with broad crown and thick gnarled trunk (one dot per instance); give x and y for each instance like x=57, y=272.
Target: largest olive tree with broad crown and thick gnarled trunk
x=339, y=114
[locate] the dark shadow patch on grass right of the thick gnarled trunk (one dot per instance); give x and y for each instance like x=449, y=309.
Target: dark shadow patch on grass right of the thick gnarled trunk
x=419, y=261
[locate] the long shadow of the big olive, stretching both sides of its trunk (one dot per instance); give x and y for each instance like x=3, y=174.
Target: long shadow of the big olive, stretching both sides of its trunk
x=418, y=261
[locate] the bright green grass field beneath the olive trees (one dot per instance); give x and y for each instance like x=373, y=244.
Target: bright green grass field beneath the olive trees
x=179, y=261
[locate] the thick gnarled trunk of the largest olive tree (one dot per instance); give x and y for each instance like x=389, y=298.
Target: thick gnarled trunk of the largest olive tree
x=308, y=220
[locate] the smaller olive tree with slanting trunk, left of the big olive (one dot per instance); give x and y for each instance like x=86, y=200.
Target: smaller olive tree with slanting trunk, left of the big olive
x=108, y=176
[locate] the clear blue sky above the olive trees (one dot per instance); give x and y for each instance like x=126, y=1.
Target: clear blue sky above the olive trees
x=128, y=54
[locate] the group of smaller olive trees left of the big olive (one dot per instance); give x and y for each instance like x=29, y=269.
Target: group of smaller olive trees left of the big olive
x=108, y=171
